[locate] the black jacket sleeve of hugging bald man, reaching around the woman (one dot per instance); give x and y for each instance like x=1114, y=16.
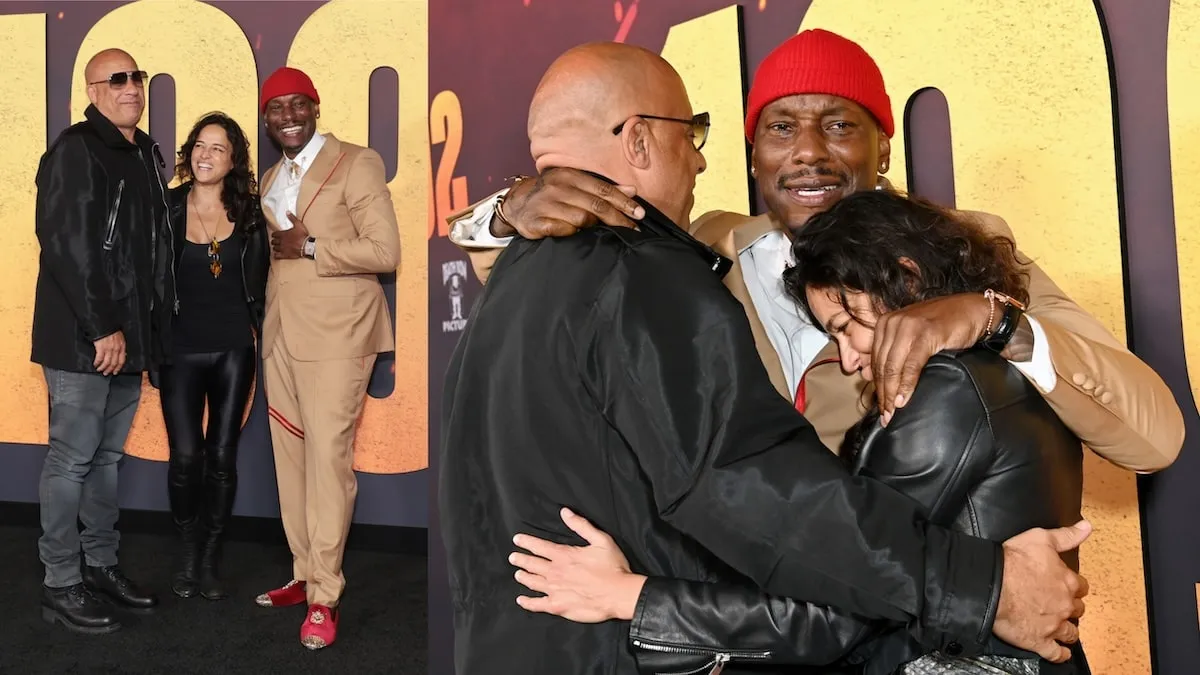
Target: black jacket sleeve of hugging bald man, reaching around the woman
x=671, y=361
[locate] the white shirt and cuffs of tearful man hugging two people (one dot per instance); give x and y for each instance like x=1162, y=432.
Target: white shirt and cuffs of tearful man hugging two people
x=764, y=262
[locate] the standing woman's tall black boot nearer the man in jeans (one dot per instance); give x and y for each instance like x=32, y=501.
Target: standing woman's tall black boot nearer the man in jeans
x=185, y=493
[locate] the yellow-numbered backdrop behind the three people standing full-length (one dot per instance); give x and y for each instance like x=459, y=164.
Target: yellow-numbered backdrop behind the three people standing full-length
x=369, y=62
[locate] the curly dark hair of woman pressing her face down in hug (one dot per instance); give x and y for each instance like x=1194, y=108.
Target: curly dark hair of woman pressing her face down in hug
x=865, y=241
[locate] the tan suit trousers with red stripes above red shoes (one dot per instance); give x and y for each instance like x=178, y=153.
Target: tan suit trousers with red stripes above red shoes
x=314, y=409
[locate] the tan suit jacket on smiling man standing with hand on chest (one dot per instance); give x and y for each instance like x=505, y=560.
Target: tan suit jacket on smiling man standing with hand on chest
x=333, y=307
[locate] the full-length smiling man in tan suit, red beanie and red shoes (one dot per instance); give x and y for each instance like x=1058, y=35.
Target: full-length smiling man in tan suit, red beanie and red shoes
x=333, y=231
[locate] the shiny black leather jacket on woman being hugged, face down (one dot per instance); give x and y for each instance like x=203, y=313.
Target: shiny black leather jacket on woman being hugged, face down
x=977, y=447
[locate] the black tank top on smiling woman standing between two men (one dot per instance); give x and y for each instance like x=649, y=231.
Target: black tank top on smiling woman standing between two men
x=213, y=313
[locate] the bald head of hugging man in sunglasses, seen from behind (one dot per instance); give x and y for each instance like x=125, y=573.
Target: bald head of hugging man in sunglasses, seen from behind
x=595, y=88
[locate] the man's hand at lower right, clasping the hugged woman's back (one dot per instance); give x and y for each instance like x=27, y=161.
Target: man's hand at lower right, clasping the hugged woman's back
x=1040, y=594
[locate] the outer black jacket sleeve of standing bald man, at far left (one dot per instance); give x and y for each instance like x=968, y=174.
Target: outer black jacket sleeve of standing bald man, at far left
x=71, y=230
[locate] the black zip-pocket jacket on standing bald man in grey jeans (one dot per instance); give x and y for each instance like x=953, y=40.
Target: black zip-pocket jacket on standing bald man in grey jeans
x=101, y=223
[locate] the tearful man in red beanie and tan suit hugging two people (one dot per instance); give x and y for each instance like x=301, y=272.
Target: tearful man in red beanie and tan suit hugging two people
x=820, y=123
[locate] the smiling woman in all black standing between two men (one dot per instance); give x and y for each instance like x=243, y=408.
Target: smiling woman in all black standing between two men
x=220, y=266
